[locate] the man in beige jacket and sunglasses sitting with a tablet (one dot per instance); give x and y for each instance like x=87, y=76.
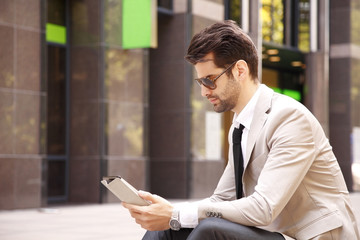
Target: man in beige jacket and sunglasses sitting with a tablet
x=282, y=180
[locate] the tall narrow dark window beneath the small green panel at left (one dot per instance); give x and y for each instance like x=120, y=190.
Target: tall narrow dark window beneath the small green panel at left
x=56, y=123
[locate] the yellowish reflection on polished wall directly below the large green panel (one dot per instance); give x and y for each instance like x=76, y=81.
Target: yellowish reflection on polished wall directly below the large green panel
x=124, y=81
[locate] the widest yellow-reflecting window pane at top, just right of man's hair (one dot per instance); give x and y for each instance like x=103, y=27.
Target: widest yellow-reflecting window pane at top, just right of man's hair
x=272, y=16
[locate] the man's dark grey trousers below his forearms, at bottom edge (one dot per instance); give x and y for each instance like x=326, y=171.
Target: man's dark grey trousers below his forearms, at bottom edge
x=214, y=229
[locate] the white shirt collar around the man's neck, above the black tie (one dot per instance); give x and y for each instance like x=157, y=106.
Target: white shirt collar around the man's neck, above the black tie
x=246, y=115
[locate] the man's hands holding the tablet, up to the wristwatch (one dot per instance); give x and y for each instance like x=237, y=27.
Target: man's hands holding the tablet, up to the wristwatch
x=154, y=217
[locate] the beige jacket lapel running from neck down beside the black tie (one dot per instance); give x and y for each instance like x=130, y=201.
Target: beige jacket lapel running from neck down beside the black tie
x=259, y=119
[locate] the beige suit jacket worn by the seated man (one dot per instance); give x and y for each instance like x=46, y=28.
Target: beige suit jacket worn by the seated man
x=292, y=181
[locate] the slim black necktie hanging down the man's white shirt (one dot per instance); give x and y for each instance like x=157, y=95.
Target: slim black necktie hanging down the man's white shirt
x=238, y=160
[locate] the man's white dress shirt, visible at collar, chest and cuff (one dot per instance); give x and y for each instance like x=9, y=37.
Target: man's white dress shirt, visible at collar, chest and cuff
x=189, y=211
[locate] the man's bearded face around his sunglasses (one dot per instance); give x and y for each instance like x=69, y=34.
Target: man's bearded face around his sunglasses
x=225, y=96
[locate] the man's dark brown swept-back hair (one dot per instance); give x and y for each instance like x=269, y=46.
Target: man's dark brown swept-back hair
x=228, y=42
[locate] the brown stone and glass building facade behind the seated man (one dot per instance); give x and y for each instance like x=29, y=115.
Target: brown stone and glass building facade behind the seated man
x=79, y=100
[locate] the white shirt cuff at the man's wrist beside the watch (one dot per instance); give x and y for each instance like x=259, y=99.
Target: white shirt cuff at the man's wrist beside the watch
x=188, y=214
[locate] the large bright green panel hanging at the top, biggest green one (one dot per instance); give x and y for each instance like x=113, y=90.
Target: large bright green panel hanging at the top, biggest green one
x=136, y=24
